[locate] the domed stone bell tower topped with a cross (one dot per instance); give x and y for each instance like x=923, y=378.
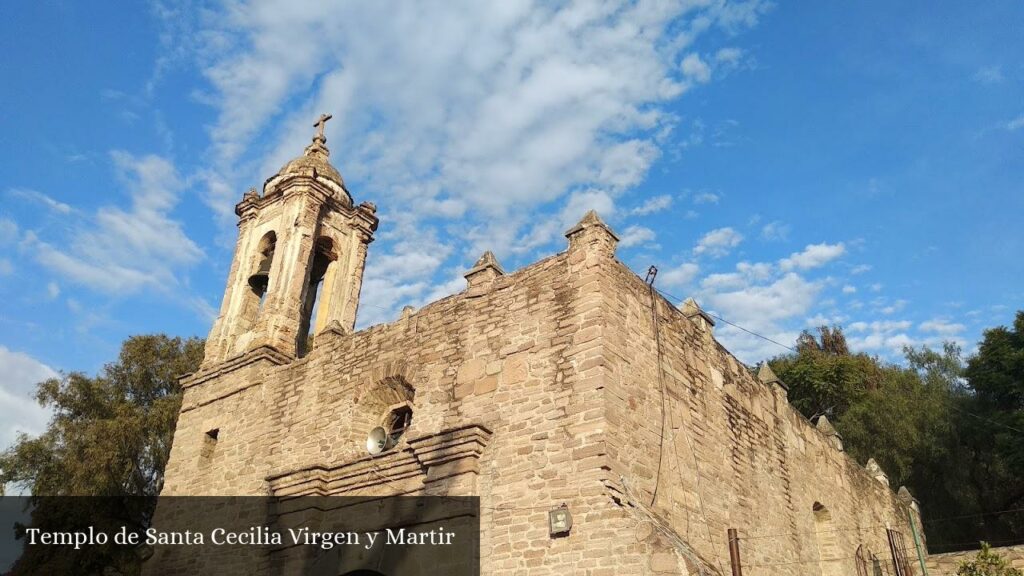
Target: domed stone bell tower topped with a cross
x=298, y=262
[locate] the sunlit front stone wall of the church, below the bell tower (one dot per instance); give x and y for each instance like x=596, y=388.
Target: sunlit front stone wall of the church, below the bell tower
x=506, y=358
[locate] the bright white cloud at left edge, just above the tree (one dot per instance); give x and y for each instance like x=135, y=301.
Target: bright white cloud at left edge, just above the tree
x=22, y=414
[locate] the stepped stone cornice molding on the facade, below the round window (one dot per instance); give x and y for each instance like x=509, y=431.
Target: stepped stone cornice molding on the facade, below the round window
x=423, y=460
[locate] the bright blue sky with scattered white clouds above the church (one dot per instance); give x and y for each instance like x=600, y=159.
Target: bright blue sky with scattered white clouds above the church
x=788, y=166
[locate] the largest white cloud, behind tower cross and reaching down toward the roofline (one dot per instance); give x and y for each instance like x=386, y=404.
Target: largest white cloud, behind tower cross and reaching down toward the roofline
x=511, y=117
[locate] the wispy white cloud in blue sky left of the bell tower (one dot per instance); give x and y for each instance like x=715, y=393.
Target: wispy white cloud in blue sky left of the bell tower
x=122, y=252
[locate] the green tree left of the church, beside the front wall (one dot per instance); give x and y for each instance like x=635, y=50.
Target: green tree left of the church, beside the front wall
x=110, y=436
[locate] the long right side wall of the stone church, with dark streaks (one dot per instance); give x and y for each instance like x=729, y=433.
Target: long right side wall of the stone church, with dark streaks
x=709, y=447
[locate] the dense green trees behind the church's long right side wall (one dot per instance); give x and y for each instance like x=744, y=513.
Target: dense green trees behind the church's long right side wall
x=946, y=431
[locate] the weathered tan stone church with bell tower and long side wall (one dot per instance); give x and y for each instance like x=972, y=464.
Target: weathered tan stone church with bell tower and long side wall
x=605, y=430
